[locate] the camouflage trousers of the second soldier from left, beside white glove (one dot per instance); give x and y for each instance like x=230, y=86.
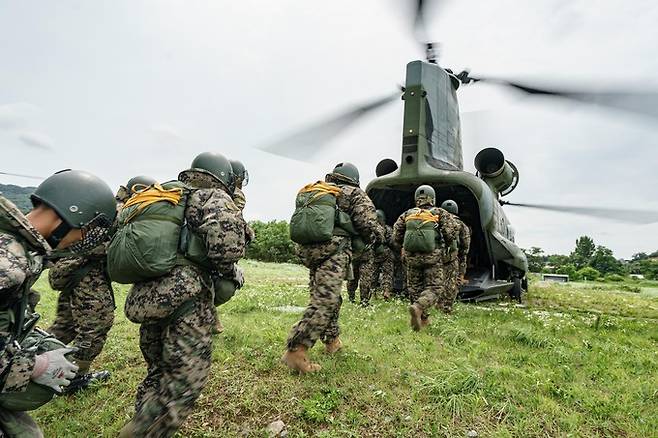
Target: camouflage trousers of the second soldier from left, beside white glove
x=85, y=315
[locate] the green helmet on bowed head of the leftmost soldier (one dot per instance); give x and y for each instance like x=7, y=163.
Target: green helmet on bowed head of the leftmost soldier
x=80, y=199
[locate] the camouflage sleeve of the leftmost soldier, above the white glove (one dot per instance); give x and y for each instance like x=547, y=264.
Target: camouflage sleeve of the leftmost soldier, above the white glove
x=16, y=365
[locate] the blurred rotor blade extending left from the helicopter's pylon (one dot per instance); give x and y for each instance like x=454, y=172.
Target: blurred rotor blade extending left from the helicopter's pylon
x=303, y=144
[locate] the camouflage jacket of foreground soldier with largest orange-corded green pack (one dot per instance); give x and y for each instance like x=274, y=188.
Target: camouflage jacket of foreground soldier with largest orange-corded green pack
x=211, y=215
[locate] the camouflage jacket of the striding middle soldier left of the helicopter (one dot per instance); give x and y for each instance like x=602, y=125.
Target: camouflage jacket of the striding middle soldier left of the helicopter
x=353, y=201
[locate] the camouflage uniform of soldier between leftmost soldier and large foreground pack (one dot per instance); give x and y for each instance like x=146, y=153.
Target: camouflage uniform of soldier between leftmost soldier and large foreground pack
x=85, y=308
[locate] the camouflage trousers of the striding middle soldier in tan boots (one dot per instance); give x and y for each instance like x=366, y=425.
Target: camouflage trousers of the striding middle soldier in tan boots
x=320, y=320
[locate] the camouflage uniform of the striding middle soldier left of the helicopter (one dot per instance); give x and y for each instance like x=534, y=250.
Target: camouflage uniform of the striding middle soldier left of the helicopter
x=328, y=263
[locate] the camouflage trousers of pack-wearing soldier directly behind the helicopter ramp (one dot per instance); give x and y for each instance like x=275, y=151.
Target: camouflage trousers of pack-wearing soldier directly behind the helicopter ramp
x=424, y=279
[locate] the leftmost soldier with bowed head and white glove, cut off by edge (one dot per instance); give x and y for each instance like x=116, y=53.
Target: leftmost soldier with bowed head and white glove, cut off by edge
x=72, y=210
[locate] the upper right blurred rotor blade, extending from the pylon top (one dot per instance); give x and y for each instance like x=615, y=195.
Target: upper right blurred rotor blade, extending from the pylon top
x=645, y=102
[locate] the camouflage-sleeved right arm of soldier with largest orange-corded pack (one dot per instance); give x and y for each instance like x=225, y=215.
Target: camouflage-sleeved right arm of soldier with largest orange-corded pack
x=216, y=219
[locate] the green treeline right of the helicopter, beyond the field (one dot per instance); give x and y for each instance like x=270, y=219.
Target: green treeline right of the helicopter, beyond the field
x=590, y=261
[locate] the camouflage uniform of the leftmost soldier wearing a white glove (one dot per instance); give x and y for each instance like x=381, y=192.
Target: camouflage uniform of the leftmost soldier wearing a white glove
x=21, y=263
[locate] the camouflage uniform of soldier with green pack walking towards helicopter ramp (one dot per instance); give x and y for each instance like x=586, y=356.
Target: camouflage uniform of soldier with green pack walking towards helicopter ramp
x=425, y=276
